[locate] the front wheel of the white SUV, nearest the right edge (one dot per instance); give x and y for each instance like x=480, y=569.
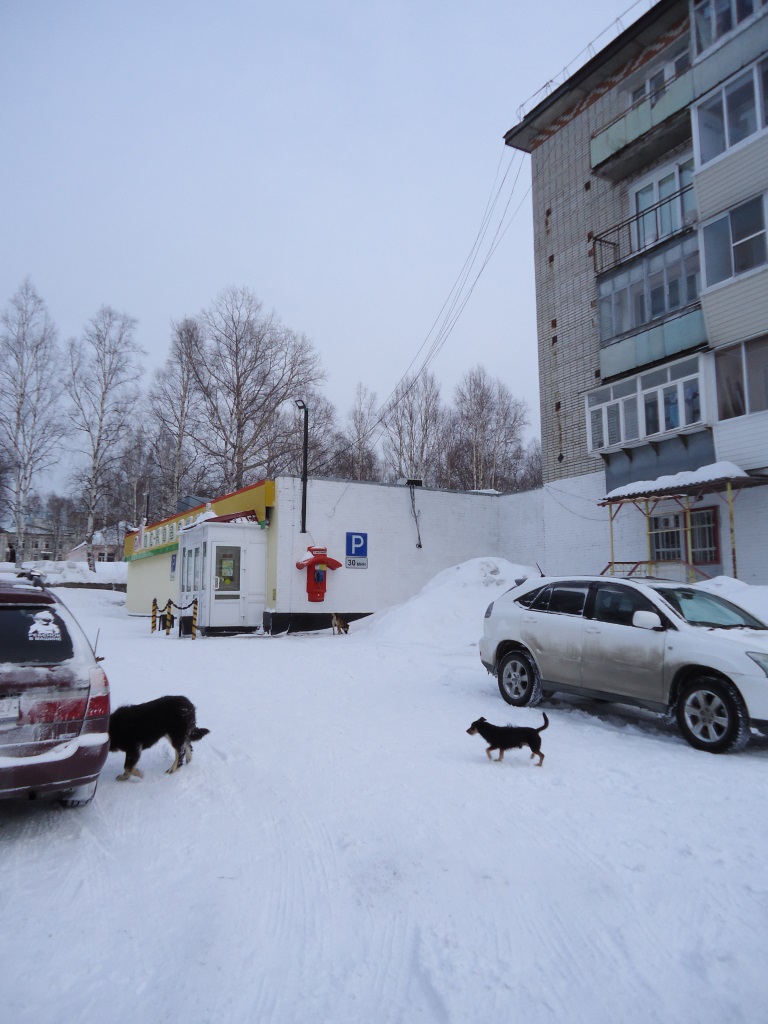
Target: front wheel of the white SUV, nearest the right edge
x=712, y=717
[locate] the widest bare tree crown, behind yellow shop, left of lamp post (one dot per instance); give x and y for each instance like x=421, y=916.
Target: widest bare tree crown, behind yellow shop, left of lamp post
x=247, y=367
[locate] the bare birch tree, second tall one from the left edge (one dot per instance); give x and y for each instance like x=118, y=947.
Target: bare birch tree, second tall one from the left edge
x=103, y=377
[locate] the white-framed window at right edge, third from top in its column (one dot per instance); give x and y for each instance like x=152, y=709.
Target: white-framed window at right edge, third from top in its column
x=736, y=242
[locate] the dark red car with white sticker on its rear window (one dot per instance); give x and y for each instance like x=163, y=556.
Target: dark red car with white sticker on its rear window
x=55, y=700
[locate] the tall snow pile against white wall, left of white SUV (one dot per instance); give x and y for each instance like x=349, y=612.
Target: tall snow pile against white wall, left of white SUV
x=449, y=610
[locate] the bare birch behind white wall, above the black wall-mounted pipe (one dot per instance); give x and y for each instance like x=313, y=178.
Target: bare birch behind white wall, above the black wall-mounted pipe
x=413, y=430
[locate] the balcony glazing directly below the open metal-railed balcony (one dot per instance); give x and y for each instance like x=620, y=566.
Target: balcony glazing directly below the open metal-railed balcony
x=649, y=289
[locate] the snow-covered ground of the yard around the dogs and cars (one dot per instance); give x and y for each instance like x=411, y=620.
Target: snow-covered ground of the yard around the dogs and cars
x=340, y=850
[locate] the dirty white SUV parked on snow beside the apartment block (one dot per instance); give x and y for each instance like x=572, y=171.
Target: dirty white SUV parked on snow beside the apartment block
x=665, y=647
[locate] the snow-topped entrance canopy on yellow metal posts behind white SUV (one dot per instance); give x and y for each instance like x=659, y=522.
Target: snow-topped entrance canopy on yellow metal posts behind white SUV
x=727, y=483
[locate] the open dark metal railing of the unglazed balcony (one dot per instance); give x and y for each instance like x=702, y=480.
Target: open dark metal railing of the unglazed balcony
x=661, y=222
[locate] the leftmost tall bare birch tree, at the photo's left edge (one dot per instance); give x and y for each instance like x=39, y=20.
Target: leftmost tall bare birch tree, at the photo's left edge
x=32, y=428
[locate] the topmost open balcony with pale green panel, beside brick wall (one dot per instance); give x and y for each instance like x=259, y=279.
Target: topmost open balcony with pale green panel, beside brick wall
x=650, y=129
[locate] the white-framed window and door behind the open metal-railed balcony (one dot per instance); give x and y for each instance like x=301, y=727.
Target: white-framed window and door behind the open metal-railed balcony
x=663, y=204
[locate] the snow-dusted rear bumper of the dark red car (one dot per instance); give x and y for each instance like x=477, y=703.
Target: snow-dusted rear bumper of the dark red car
x=66, y=766
